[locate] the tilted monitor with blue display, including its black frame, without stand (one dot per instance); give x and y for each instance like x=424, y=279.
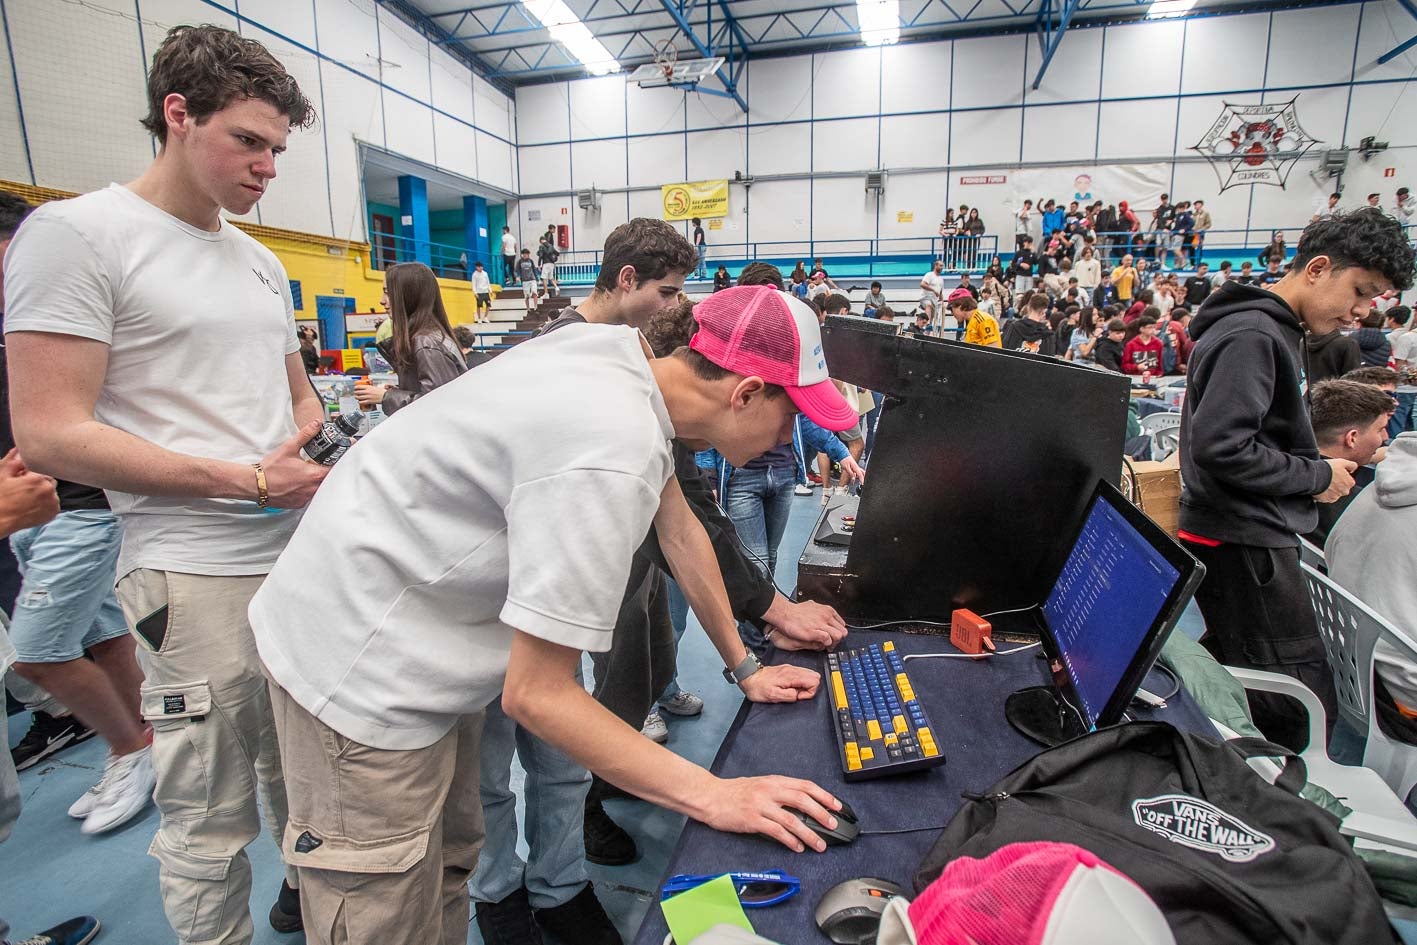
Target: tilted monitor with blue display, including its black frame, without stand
x=1114, y=603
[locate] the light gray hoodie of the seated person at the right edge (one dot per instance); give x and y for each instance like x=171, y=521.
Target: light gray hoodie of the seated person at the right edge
x=1372, y=552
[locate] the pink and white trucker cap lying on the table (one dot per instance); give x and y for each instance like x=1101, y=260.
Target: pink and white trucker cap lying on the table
x=1037, y=895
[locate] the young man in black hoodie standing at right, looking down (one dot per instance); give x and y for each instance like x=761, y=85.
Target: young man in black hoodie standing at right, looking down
x=1249, y=461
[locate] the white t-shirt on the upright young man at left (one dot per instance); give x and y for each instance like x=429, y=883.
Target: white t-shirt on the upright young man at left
x=199, y=327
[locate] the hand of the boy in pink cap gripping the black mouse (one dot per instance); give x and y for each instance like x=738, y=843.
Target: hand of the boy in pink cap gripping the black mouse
x=769, y=805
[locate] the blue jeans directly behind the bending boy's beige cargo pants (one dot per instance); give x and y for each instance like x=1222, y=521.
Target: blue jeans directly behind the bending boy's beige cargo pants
x=555, y=791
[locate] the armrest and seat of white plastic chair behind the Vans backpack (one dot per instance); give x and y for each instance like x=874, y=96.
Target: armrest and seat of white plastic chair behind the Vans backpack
x=1379, y=818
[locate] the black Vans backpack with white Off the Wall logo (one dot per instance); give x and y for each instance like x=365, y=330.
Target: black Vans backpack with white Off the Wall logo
x=1225, y=855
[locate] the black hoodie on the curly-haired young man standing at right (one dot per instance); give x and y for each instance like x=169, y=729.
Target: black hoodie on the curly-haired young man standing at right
x=1249, y=460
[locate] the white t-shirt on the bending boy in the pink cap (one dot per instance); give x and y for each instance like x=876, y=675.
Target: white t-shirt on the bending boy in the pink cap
x=447, y=528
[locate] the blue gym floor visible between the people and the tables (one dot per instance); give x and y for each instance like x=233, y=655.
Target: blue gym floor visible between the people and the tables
x=50, y=872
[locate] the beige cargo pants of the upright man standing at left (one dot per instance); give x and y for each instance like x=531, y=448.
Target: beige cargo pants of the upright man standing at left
x=215, y=746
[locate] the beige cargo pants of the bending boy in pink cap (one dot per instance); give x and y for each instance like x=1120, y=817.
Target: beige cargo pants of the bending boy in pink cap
x=385, y=841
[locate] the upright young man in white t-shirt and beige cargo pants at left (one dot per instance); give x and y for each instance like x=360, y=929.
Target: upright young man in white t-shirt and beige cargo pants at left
x=118, y=305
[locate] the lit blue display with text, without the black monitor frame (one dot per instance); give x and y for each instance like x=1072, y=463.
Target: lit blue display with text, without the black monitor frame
x=1106, y=600
